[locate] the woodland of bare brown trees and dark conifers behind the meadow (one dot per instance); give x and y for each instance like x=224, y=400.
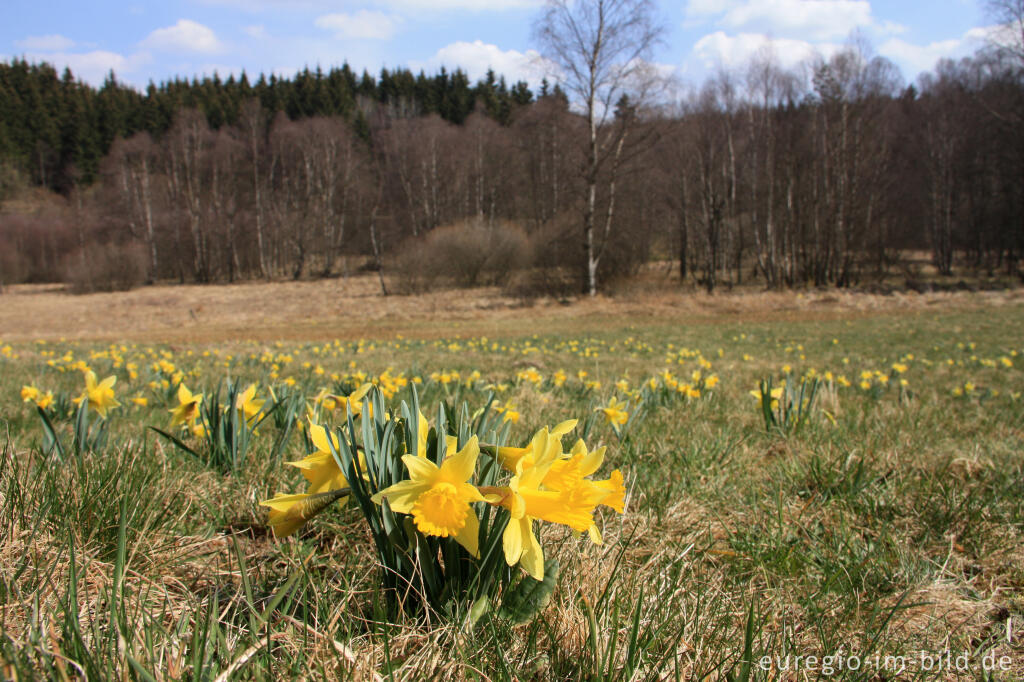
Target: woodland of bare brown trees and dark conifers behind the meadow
x=835, y=173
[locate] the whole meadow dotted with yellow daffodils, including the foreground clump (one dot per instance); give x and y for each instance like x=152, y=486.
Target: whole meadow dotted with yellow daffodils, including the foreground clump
x=760, y=500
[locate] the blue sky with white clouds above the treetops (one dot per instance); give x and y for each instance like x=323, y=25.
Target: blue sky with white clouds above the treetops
x=144, y=41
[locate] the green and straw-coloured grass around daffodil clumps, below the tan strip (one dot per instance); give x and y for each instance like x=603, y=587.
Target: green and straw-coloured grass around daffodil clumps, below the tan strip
x=889, y=525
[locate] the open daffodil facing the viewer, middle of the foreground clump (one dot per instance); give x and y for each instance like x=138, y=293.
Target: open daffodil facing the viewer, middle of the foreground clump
x=440, y=498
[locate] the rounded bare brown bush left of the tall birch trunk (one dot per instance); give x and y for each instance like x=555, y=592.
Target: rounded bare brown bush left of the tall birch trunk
x=466, y=254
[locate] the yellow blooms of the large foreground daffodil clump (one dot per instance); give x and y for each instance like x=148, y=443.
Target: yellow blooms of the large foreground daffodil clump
x=445, y=497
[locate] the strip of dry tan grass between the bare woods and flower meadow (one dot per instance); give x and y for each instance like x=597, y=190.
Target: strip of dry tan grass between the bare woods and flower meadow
x=355, y=308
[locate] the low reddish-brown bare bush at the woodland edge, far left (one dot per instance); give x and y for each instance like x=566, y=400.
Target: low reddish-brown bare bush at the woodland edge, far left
x=105, y=268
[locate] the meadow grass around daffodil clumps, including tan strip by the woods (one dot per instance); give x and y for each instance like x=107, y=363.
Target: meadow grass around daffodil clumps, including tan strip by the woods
x=721, y=515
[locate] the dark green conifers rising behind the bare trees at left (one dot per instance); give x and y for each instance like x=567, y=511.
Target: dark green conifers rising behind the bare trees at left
x=57, y=130
